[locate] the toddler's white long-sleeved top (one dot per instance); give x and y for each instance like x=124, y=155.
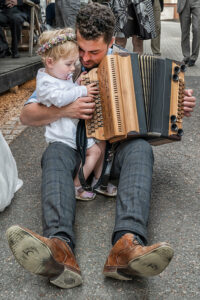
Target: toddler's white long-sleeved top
x=58, y=92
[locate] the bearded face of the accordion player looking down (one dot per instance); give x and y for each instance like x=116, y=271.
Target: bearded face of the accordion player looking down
x=92, y=52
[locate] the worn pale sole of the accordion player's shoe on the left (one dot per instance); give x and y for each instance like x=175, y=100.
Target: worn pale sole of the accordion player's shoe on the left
x=36, y=257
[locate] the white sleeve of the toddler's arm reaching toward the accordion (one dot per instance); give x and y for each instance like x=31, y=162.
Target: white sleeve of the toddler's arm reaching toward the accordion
x=49, y=93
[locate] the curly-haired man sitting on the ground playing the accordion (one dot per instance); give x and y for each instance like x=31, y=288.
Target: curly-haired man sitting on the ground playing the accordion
x=53, y=255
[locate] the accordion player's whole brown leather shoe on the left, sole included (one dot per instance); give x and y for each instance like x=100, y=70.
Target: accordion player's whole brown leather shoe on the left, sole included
x=52, y=258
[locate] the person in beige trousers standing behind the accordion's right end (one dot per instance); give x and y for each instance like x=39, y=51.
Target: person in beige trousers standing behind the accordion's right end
x=155, y=43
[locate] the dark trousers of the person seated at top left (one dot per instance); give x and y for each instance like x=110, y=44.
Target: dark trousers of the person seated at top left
x=12, y=18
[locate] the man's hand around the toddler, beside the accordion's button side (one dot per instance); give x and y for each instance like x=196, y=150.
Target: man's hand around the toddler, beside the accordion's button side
x=82, y=108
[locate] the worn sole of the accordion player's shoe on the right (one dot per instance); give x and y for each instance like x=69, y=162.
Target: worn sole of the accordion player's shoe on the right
x=150, y=264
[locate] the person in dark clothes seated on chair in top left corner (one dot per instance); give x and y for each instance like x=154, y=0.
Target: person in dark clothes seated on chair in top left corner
x=13, y=13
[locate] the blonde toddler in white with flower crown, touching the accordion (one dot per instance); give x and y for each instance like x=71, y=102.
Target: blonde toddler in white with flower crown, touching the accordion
x=55, y=86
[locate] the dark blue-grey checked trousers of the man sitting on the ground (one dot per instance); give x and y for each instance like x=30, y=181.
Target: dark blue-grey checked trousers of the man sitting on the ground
x=133, y=163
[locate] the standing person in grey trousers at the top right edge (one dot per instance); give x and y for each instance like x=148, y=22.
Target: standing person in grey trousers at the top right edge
x=189, y=12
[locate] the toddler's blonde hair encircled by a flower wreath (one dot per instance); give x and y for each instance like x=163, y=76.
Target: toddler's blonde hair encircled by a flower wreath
x=57, y=43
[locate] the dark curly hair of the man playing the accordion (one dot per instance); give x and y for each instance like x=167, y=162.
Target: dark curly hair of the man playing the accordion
x=95, y=20
